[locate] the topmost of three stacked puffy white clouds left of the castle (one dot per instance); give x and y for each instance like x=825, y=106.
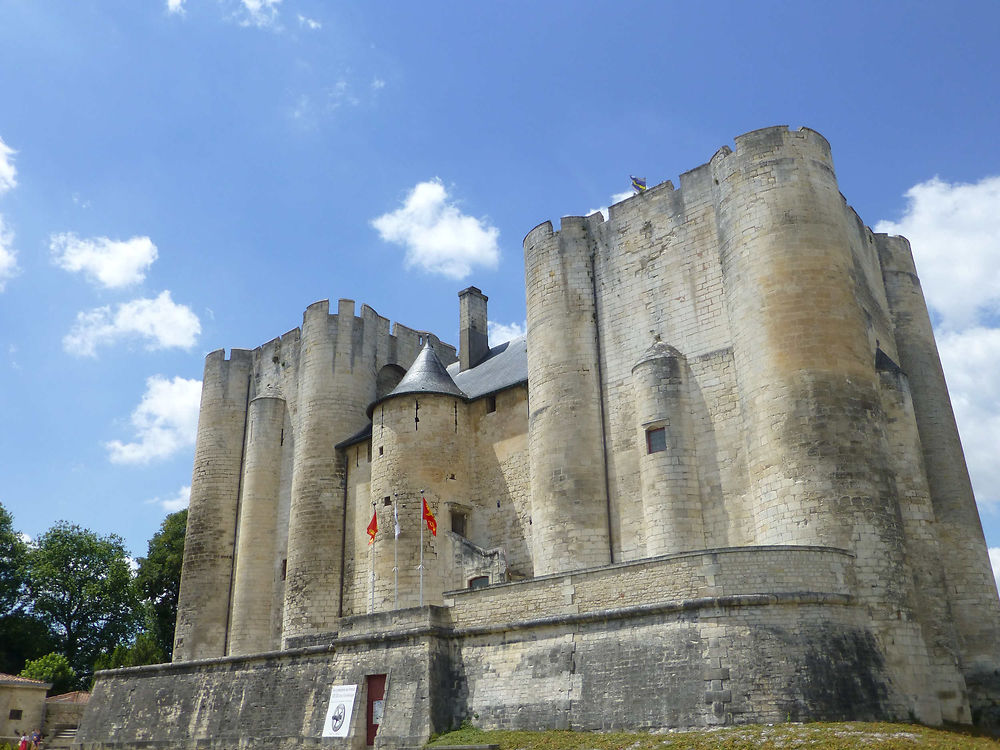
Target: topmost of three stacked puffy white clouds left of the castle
x=110, y=263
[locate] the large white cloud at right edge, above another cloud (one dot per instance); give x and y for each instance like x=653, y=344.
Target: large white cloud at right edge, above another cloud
x=954, y=230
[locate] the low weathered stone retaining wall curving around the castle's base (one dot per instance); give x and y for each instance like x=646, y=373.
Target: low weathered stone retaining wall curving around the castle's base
x=692, y=639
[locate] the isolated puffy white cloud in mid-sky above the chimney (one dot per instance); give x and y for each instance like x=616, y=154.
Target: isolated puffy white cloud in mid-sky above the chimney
x=437, y=236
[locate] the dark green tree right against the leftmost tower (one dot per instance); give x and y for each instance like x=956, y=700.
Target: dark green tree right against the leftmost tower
x=159, y=579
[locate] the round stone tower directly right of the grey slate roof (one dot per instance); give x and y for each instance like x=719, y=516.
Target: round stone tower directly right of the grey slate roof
x=569, y=498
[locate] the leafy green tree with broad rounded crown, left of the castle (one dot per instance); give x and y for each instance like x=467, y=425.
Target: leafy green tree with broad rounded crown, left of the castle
x=80, y=585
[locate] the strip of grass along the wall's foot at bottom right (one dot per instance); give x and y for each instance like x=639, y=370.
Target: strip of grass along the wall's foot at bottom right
x=813, y=736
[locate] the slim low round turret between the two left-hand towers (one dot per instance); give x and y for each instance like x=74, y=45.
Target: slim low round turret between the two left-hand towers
x=254, y=575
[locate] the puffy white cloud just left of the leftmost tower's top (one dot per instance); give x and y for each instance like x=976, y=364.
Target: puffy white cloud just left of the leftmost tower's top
x=165, y=421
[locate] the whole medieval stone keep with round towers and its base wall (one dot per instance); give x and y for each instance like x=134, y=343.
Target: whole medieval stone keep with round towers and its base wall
x=719, y=482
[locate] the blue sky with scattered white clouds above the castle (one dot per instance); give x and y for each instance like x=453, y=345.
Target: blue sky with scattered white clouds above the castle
x=178, y=176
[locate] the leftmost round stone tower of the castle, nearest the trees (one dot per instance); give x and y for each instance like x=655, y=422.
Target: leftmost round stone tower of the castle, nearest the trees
x=203, y=602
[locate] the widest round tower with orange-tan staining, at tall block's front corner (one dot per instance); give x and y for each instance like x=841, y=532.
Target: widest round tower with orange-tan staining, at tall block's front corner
x=817, y=457
